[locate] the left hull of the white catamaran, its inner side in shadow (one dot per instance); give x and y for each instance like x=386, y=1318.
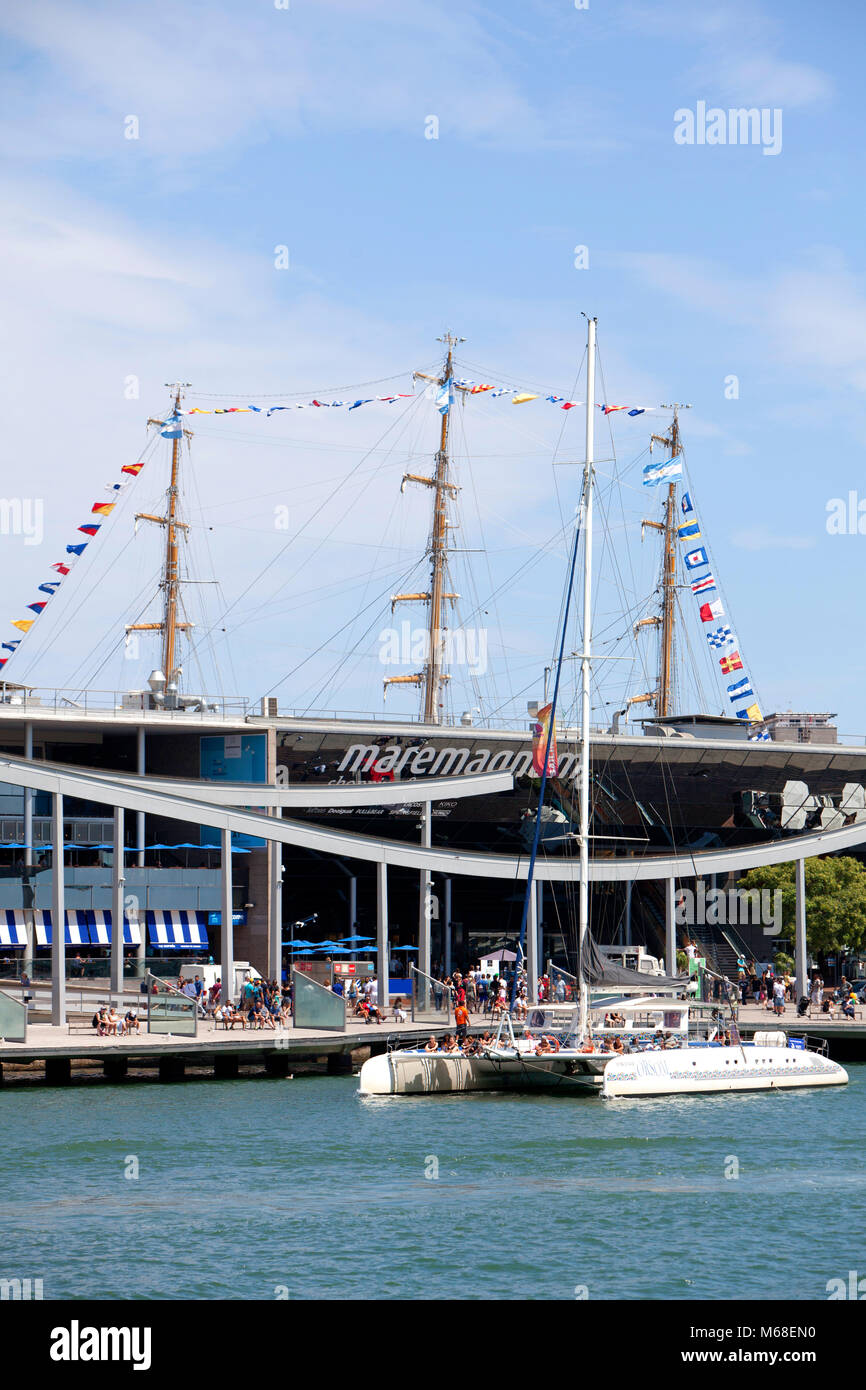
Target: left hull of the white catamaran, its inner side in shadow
x=420, y=1074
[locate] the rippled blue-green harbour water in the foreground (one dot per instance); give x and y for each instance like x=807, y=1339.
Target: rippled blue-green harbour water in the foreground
x=245, y=1186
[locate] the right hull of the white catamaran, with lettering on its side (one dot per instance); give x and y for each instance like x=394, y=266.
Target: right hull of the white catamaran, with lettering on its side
x=705, y=1071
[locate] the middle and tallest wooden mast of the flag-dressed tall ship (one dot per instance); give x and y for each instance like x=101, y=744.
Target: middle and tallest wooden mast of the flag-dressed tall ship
x=433, y=678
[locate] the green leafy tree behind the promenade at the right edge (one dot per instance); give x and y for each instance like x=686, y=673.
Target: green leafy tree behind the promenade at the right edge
x=836, y=901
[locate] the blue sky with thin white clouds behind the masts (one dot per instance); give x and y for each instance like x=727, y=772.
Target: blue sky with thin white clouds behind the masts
x=425, y=169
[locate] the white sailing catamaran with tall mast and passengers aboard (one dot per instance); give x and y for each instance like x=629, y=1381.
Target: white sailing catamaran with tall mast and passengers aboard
x=616, y=1047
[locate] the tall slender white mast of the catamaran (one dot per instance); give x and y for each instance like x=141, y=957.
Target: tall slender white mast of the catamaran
x=586, y=676
